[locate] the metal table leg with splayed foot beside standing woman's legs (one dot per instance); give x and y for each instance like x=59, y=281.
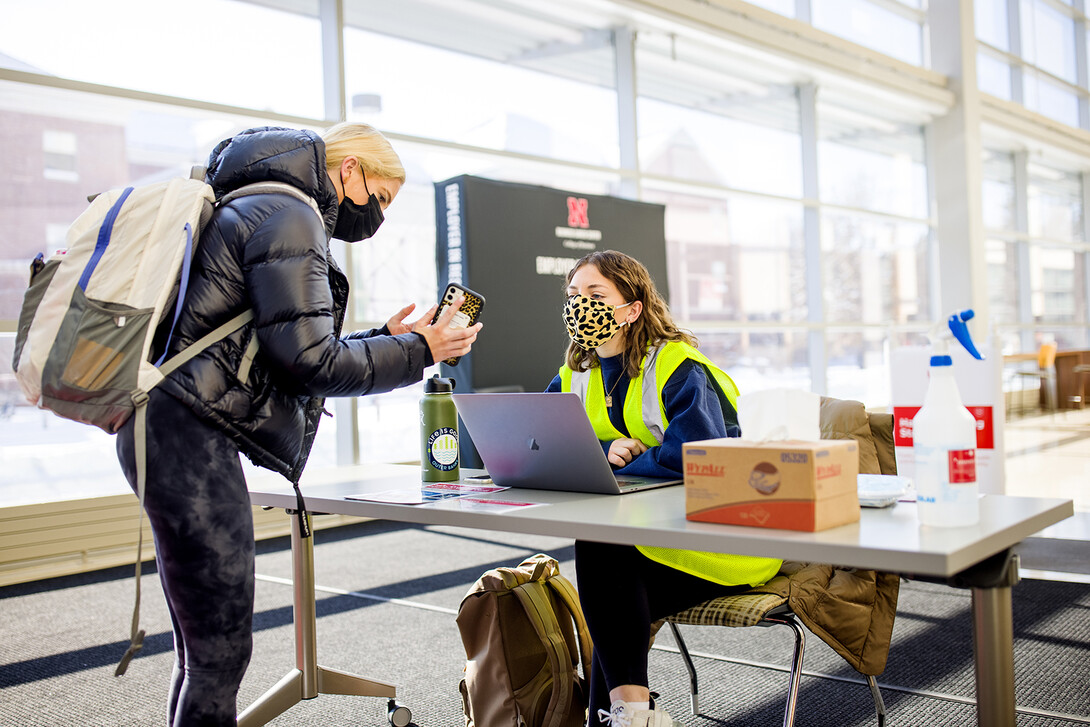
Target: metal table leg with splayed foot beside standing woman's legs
x=308, y=680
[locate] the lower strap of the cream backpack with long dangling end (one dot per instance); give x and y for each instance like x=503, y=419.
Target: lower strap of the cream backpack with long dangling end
x=140, y=455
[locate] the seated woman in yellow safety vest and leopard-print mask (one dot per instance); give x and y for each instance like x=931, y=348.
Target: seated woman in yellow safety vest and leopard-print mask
x=648, y=391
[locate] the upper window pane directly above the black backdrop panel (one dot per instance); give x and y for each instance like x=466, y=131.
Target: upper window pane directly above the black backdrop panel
x=453, y=96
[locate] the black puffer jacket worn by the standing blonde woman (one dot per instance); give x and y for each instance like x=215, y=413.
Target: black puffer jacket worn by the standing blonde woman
x=271, y=253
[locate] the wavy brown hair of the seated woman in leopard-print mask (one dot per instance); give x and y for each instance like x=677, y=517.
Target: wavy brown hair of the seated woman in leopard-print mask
x=655, y=326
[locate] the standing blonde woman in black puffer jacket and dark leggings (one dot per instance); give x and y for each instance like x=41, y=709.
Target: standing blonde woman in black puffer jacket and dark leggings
x=261, y=391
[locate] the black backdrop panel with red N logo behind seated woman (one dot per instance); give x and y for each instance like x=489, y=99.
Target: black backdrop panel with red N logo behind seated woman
x=515, y=245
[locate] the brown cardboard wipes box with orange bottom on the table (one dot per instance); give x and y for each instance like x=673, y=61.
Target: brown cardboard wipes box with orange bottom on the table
x=794, y=486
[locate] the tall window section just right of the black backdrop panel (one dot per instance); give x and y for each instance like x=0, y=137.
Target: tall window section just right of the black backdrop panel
x=721, y=148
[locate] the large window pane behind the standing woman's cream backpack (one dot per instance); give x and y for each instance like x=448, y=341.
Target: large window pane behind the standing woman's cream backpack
x=64, y=147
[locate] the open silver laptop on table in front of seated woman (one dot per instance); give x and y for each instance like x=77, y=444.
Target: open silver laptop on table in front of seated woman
x=543, y=442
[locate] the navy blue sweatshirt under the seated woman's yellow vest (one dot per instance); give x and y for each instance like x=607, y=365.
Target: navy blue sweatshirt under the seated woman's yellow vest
x=693, y=410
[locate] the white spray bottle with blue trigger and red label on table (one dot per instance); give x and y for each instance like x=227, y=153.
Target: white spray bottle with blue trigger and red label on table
x=944, y=438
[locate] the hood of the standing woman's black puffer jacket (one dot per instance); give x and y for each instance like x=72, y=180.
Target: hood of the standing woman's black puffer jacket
x=270, y=154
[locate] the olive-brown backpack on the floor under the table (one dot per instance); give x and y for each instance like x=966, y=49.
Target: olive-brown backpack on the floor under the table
x=525, y=636
